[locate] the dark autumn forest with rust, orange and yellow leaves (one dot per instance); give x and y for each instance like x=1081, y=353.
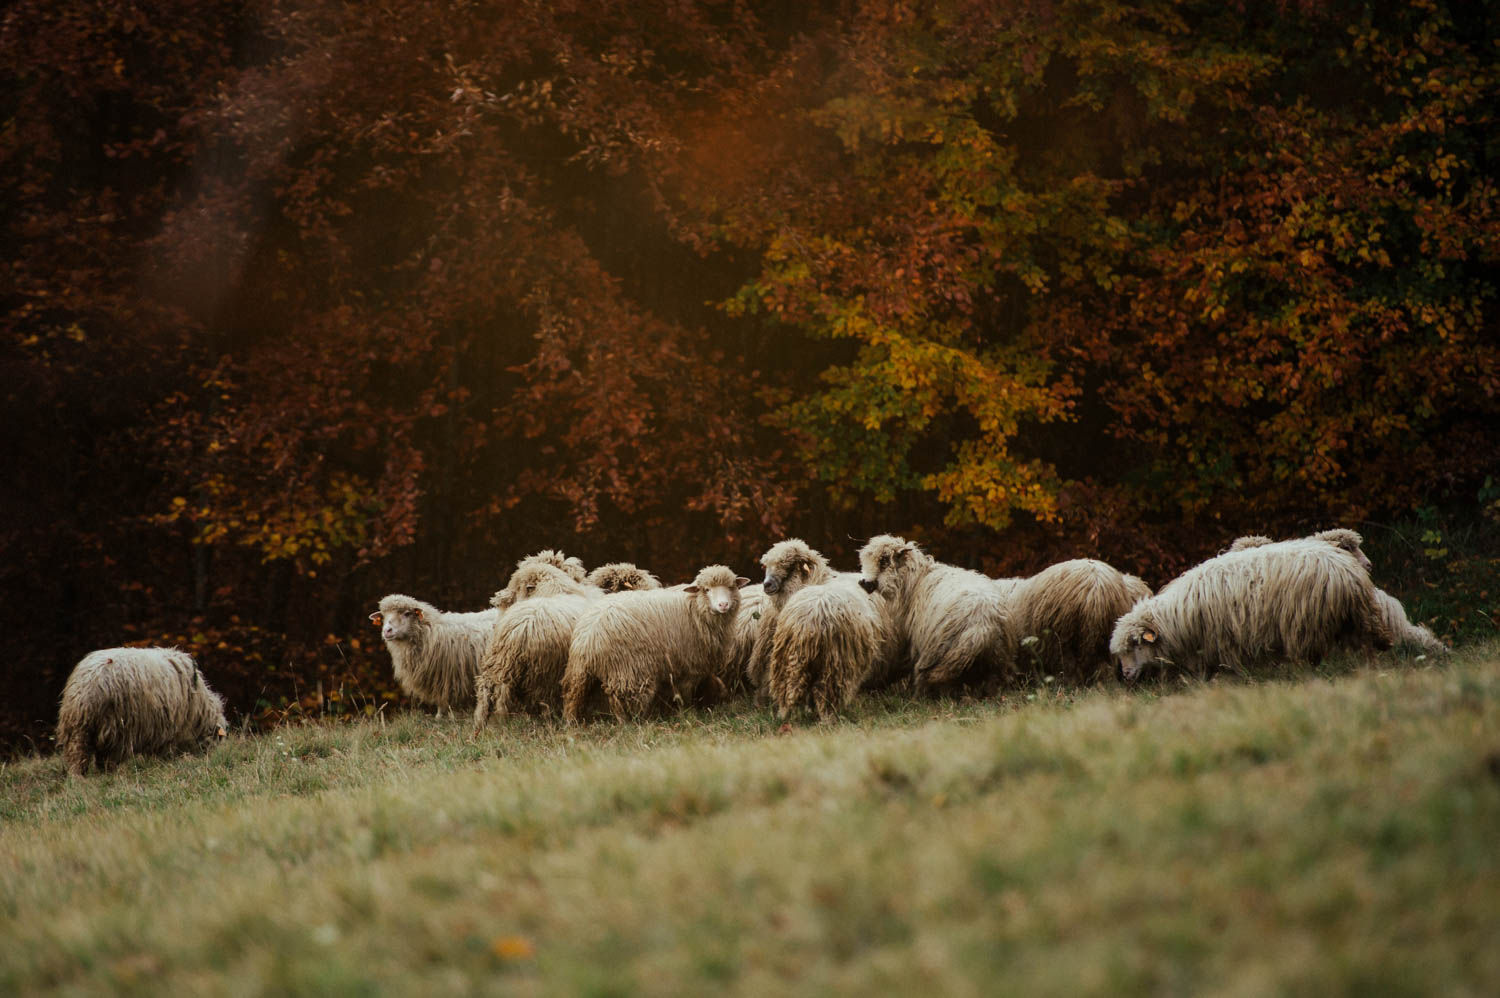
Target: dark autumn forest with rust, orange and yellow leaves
x=308, y=302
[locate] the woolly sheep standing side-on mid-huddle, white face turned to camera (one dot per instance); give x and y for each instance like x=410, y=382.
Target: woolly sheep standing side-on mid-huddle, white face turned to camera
x=632, y=645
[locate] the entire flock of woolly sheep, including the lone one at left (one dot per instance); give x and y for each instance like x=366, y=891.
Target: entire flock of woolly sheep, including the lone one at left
x=563, y=642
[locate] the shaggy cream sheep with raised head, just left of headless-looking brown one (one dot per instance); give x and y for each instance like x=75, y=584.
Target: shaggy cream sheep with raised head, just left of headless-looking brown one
x=955, y=622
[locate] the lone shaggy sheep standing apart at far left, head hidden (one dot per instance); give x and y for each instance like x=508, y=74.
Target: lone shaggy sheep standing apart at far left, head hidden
x=136, y=702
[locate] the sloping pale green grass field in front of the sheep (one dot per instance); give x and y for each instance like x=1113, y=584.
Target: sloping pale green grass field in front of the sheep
x=1310, y=837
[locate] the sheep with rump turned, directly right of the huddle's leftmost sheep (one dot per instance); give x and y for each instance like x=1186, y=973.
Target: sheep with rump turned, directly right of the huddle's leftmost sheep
x=527, y=649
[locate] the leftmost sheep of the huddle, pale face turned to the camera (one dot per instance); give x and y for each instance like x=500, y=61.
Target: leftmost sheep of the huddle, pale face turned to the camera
x=434, y=654
